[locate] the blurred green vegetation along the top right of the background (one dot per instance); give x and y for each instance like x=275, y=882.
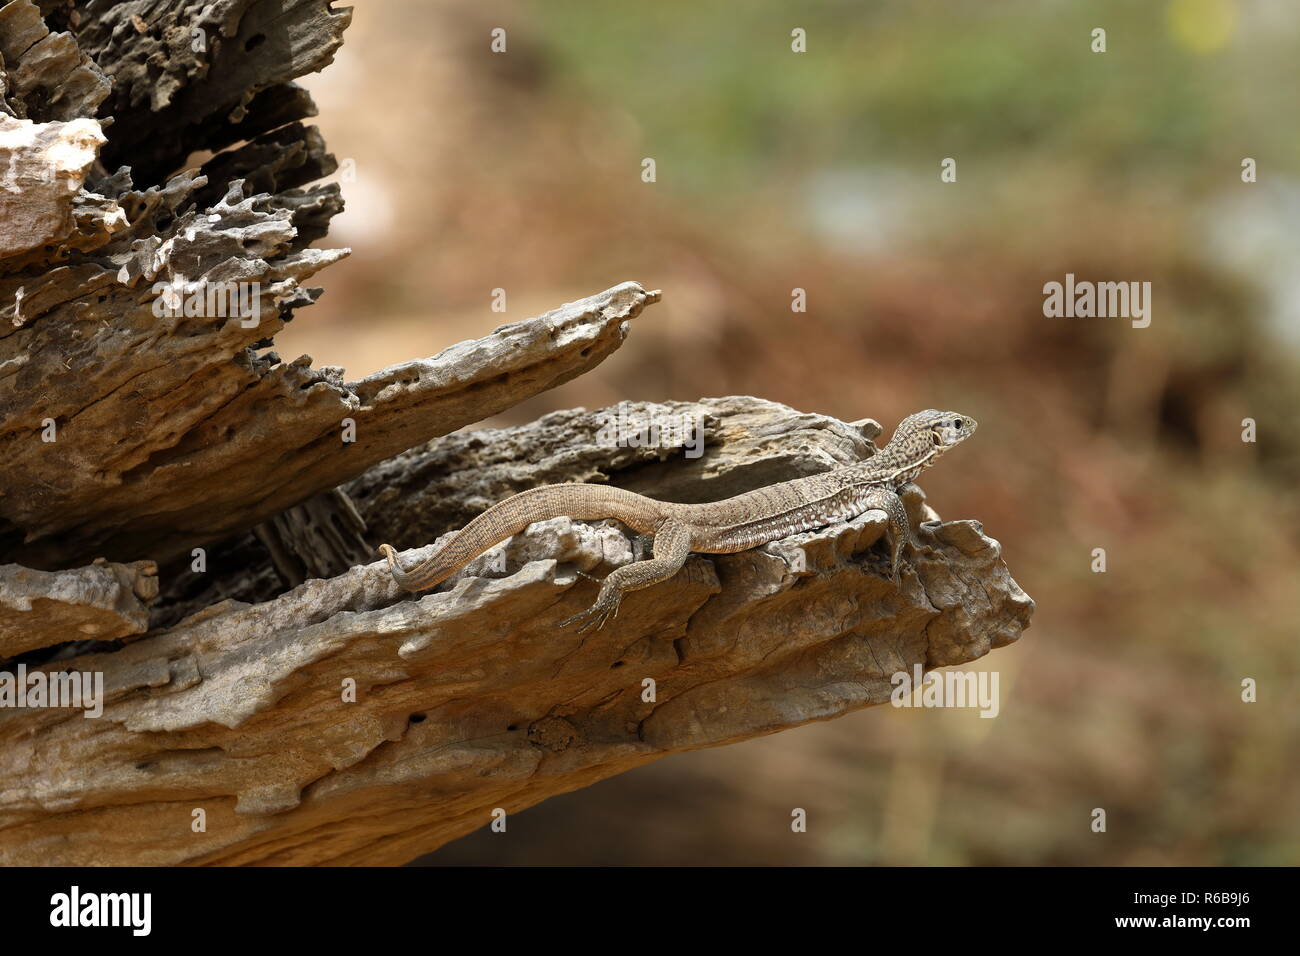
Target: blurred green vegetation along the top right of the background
x=1182, y=93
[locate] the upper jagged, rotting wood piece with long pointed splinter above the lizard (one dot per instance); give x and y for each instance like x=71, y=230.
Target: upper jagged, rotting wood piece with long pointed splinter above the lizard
x=145, y=410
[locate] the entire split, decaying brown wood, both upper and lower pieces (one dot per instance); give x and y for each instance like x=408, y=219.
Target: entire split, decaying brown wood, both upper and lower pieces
x=193, y=520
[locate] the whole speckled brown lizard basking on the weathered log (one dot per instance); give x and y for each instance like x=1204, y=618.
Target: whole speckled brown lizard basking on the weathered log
x=720, y=527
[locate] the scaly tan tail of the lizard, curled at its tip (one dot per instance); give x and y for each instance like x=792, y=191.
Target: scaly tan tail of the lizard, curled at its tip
x=513, y=516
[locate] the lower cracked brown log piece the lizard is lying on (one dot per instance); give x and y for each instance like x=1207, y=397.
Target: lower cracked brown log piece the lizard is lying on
x=473, y=699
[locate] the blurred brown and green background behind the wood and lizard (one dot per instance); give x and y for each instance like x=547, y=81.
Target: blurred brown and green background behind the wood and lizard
x=469, y=171
